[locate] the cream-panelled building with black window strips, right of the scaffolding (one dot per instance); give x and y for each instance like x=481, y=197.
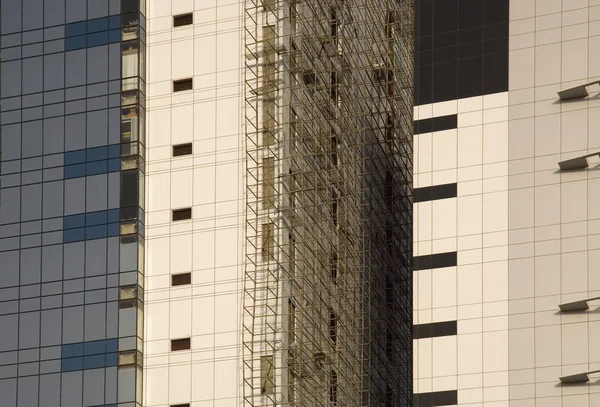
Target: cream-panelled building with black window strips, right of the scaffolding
x=504, y=235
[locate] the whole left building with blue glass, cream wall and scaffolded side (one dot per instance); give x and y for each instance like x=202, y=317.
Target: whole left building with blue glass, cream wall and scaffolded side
x=206, y=203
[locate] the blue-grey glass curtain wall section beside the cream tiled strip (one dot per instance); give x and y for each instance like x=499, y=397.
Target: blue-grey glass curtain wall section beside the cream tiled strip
x=72, y=214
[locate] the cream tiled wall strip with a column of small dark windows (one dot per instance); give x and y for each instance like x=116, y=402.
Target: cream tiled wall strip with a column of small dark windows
x=210, y=182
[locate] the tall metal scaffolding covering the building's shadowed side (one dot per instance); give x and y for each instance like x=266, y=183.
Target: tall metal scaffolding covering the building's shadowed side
x=328, y=282
